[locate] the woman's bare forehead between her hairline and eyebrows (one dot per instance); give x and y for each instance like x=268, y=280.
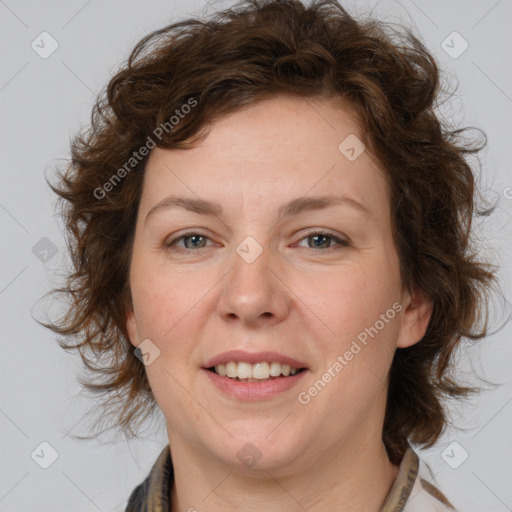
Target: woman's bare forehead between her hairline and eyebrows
x=270, y=153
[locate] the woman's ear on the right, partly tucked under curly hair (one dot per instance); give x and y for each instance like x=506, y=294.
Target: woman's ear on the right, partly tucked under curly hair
x=417, y=311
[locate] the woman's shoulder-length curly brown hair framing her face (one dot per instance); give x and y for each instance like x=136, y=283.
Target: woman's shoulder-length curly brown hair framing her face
x=252, y=51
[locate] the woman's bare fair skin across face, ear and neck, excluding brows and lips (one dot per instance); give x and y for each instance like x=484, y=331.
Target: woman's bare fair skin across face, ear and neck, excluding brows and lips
x=295, y=298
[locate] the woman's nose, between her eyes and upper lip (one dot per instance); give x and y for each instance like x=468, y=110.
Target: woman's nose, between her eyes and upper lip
x=254, y=293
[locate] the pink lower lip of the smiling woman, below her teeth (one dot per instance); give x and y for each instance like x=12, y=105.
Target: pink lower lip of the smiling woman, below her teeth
x=254, y=390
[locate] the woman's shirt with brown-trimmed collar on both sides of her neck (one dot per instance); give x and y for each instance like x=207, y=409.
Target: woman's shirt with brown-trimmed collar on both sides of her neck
x=412, y=490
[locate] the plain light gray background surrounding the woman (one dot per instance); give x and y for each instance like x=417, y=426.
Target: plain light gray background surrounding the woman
x=44, y=101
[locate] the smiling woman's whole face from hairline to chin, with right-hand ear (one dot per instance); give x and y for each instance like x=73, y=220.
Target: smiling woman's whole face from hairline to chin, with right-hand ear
x=271, y=239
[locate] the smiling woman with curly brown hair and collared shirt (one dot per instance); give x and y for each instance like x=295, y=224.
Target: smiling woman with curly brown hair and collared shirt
x=271, y=237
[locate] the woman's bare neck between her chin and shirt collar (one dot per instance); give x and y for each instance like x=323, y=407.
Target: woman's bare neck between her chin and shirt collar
x=345, y=479
